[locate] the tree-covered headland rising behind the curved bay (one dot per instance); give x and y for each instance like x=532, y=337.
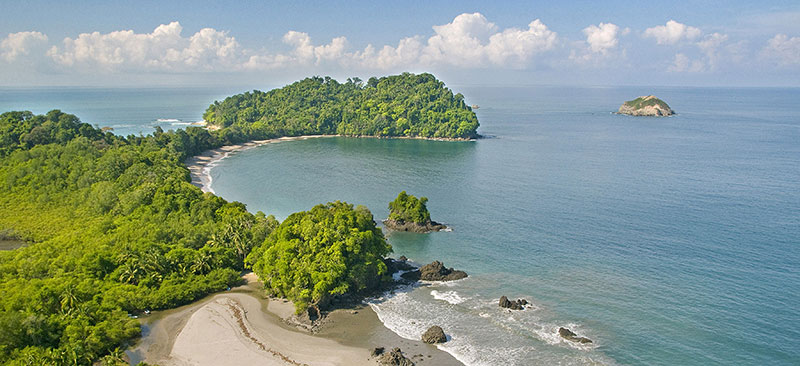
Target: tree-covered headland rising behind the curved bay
x=400, y=105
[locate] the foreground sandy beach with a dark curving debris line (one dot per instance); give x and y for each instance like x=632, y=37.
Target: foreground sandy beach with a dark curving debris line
x=242, y=328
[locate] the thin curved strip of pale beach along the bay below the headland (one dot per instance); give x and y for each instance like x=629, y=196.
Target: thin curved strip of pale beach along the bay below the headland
x=200, y=165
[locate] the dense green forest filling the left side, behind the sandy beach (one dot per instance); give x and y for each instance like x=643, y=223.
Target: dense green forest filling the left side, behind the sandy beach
x=118, y=229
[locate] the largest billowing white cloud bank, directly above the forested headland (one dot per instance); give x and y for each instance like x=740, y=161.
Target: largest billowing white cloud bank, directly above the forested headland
x=470, y=40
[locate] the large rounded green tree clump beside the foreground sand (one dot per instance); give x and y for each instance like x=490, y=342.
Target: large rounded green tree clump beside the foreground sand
x=329, y=250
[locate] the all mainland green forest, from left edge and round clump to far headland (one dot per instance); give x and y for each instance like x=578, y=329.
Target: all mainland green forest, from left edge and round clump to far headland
x=115, y=227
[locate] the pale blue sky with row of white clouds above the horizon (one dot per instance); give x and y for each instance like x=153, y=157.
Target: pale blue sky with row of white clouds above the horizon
x=255, y=43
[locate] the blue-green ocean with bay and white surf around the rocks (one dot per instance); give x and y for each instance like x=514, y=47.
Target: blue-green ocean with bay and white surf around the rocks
x=666, y=241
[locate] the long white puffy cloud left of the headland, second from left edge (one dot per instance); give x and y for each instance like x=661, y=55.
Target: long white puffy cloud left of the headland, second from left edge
x=164, y=48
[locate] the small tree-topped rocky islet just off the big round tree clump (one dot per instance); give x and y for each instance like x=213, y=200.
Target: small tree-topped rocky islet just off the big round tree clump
x=409, y=213
